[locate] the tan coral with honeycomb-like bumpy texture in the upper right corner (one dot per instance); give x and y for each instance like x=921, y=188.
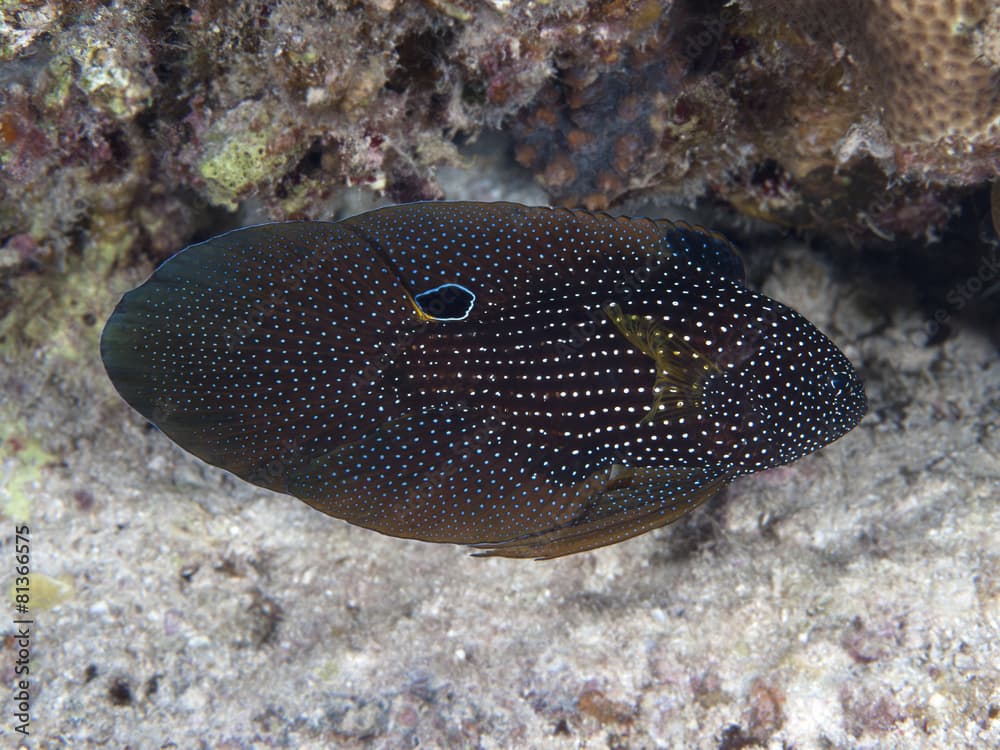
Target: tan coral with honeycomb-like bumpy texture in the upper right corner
x=927, y=73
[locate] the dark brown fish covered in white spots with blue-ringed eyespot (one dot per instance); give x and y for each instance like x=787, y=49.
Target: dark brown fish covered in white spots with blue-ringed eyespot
x=530, y=381
